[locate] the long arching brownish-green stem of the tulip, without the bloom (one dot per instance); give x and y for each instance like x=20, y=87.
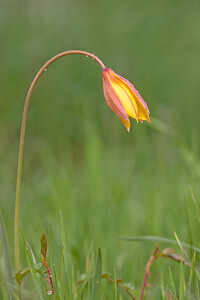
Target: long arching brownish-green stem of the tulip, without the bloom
x=21, y=146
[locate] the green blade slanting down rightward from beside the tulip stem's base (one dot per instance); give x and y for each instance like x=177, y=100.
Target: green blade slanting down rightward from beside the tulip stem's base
x=35, y=277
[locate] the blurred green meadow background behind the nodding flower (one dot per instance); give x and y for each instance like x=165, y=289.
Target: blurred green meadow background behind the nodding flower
x=78, y=156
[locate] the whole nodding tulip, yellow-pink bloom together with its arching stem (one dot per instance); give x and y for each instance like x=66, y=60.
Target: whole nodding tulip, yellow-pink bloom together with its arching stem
x=120, y=95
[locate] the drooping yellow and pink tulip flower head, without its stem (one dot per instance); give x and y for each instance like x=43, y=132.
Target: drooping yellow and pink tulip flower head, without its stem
x=123, y=98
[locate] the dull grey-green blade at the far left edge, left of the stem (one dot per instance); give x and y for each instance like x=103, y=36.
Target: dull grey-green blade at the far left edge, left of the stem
x=7, y=262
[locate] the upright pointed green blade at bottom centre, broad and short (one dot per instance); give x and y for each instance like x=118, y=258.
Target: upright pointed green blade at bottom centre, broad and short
x=96, y=286
